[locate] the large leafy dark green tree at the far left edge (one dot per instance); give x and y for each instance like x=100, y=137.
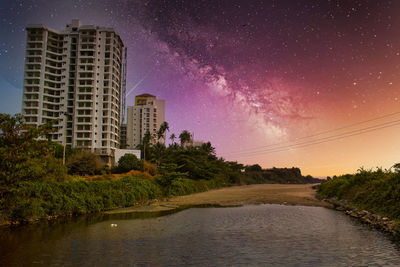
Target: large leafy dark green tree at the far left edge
x=23, y=157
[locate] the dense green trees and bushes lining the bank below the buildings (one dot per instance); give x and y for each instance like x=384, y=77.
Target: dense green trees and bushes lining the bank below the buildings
x=35, y=184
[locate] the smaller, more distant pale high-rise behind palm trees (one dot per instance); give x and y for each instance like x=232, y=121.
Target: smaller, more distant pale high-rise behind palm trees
x=147, y=115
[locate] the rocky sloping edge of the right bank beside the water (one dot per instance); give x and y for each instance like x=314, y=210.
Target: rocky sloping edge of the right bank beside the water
x=374, y=220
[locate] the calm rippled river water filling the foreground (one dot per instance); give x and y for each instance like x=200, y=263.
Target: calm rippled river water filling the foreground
x=261, y=235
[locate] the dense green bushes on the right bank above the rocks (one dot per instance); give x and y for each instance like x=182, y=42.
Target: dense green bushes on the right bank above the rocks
x=376, y=191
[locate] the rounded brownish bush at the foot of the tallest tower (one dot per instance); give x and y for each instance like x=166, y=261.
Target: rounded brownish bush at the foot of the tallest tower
x=84, y=163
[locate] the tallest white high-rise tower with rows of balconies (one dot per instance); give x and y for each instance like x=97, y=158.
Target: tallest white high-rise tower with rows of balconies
x=75, y=76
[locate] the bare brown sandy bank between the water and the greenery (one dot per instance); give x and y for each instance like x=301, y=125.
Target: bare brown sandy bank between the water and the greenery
x=237, y=196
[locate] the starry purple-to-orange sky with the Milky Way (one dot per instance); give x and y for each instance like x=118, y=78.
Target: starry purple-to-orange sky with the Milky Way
x=310, y=84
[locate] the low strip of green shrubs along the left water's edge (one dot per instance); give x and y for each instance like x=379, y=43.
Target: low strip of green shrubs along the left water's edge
x=31, y=201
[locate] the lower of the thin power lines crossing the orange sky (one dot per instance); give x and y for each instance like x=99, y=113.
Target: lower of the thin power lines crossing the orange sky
x=324, y=140
